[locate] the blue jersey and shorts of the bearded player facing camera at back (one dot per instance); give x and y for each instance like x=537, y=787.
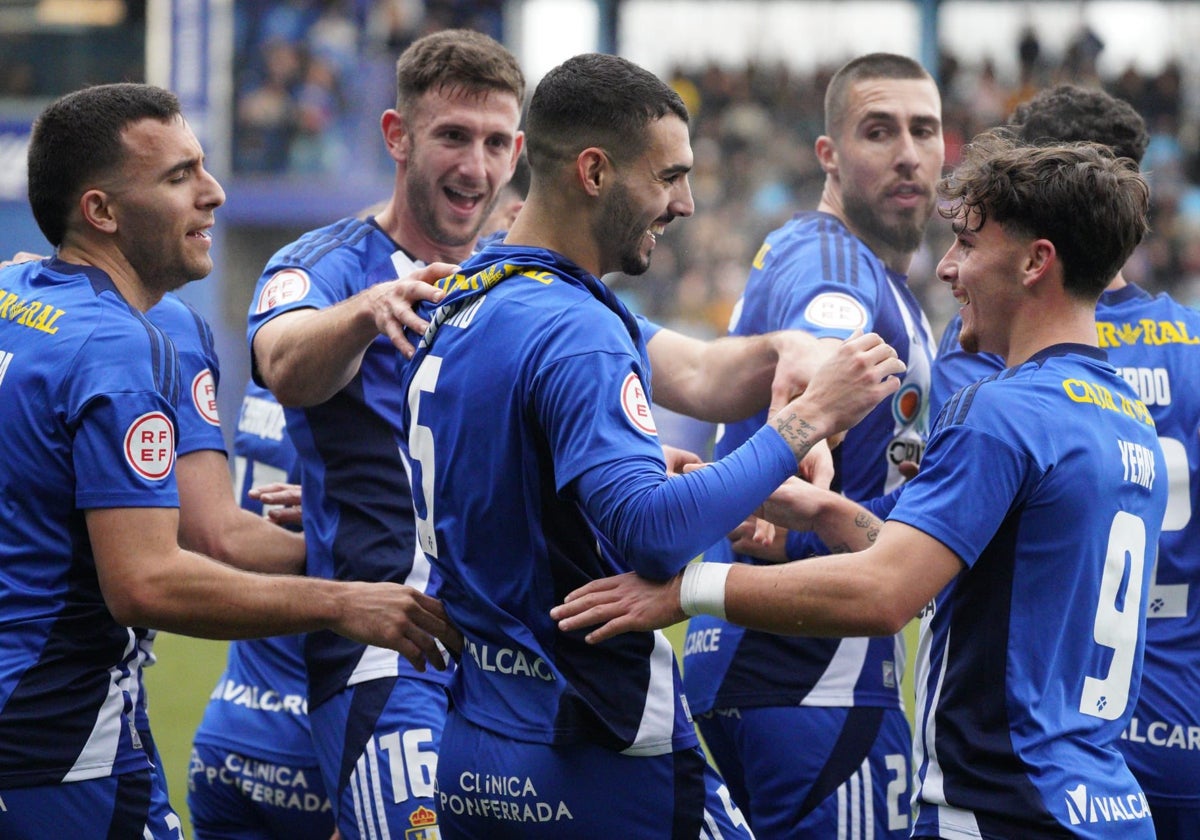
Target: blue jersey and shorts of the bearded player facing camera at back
x=813, y=274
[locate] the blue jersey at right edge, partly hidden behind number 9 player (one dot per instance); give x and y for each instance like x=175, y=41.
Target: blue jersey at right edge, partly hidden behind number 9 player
x=1155, y=345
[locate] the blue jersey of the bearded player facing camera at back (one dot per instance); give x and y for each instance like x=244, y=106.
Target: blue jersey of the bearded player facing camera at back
x=814, y=274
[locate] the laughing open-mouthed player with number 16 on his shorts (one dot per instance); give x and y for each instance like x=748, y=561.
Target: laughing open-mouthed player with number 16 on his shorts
x=321, y=333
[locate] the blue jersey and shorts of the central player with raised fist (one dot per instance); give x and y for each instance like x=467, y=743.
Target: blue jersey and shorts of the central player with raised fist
x=538, y=469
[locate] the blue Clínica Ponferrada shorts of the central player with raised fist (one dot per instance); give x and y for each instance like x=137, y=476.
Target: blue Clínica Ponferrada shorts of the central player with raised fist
x=491, y=788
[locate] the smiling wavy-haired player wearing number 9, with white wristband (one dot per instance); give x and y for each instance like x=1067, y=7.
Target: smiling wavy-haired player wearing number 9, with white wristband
x=1027, y=542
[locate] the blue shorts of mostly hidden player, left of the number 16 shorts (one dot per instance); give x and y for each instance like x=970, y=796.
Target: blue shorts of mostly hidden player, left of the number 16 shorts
x=235, y=797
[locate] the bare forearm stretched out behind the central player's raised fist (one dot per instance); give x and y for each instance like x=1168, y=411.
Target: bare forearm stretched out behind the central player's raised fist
x=734, y=377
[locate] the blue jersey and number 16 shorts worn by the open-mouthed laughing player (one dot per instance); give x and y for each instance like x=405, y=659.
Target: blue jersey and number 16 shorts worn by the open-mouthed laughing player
x=358, y=524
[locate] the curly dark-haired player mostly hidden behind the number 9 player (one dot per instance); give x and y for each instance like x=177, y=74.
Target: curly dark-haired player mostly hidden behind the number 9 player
x=1155, y=344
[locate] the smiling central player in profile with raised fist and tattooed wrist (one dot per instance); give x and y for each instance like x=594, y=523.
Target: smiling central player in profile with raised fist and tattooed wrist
x=536, y=467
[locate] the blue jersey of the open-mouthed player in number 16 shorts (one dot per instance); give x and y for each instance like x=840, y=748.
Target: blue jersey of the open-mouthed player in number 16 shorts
x=358, y=517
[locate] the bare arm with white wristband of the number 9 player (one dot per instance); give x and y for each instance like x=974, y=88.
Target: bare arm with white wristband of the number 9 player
x=869, y=593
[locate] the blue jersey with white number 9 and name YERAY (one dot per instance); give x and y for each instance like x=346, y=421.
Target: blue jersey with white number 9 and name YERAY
x=1048, y=482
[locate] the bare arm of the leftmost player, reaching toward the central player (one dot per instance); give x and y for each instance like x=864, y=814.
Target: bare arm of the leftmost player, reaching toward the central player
x=149, y=581
